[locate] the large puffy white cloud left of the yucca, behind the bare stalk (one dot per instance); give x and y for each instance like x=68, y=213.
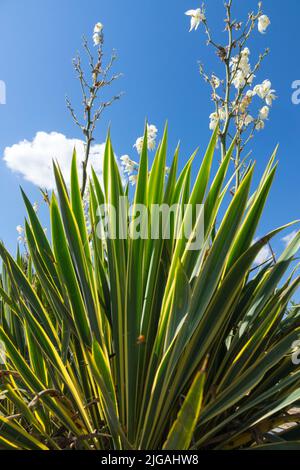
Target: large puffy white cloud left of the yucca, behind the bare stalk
x=33, y=159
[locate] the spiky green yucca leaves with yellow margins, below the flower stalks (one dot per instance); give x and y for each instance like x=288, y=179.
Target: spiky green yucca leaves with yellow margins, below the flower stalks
x=143, y=343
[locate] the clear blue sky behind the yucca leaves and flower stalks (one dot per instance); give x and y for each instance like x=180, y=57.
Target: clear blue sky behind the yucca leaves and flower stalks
x=158, y=57
